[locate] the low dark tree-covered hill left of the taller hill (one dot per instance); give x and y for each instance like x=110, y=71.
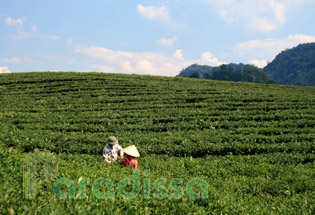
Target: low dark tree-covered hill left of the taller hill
x=230, y=72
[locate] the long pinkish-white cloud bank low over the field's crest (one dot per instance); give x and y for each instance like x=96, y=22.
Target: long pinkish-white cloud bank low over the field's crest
x=153, y=63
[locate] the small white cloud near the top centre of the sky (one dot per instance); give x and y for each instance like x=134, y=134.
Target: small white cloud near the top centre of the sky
x=159, y=14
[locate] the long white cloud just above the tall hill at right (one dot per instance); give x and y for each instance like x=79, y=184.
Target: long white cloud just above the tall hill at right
x=269, y=48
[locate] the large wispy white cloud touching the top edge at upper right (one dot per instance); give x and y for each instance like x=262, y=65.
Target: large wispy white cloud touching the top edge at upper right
x=258, y=15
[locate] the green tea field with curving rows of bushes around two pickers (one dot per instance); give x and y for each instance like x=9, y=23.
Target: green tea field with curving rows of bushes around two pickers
x=253, y=145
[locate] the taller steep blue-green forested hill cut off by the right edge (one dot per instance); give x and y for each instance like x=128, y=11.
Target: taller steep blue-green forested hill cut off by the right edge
x=294, y=66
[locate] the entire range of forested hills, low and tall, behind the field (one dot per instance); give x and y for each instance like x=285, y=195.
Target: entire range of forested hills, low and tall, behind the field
x=294, y=66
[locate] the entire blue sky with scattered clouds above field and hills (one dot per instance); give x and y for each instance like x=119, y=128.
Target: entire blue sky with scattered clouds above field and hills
x=158, y=37
